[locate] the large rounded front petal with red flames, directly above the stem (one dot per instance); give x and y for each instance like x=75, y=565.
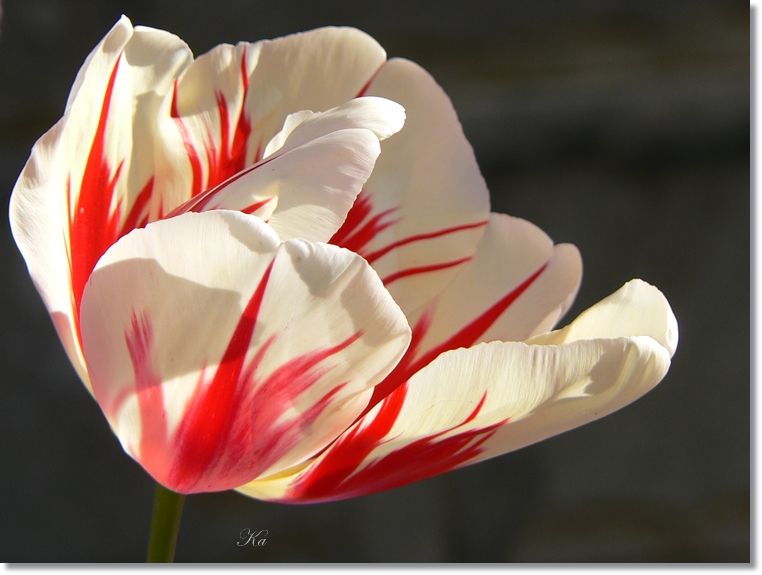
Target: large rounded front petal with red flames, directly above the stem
x=208, y=374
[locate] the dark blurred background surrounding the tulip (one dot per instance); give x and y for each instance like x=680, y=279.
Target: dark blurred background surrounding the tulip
x=619, y=126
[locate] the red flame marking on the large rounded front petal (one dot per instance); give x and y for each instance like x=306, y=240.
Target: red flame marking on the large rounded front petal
x=237, y=425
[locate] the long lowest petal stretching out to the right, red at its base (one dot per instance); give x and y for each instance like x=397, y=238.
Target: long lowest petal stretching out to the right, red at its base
x=472, y=404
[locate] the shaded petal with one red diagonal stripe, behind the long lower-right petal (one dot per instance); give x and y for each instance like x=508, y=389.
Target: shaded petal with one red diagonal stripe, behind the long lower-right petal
x=517, y=284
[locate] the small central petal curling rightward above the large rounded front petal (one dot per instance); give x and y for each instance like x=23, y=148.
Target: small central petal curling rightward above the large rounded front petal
x=314, y=171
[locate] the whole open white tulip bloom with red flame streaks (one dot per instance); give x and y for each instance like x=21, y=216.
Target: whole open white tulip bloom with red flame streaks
x=275, y=269
